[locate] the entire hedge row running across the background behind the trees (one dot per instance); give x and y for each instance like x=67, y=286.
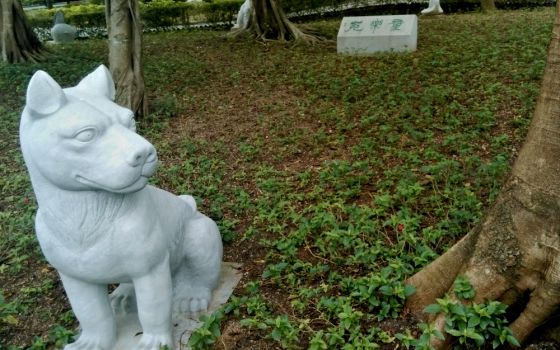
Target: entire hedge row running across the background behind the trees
x=165, y=13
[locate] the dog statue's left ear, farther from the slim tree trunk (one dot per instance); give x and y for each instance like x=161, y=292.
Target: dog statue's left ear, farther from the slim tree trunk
x=44, y=95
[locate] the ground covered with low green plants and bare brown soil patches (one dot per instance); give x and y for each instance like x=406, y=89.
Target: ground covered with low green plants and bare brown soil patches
x=332, y=178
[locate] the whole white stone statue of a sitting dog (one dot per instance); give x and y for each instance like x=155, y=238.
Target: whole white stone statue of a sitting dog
x=99, y=222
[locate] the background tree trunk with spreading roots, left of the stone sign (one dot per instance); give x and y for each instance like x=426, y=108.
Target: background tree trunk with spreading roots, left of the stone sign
x=269, y=22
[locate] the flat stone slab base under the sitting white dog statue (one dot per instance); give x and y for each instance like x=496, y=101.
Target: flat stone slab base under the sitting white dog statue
x=129, y=329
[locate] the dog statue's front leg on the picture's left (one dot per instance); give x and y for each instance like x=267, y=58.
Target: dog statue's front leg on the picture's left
x=90, y=303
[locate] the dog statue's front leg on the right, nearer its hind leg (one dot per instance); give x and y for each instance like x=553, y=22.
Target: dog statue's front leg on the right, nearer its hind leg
x=154, y=299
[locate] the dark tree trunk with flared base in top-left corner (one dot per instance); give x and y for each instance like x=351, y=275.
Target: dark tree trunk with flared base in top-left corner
x=19, y=42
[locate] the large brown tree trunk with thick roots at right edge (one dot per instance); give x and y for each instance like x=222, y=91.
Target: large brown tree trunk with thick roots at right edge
x=515, y=250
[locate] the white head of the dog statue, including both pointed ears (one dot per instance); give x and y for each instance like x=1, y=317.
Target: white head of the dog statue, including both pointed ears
x=79, y=139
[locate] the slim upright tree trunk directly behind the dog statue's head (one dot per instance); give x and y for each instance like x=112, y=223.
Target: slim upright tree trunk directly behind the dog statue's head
x=125, y=53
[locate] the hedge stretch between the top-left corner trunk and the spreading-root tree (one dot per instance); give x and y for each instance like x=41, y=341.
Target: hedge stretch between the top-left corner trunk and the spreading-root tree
x=154, y=14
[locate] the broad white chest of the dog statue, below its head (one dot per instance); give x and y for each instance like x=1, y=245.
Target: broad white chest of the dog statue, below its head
x=86, y=242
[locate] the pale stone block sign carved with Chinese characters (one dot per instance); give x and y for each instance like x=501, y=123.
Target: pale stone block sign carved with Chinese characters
x=370, y=34
